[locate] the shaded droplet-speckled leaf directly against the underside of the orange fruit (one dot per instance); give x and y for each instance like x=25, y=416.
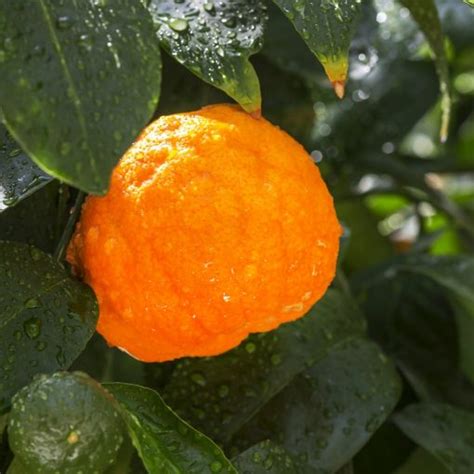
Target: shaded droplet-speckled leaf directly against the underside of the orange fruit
x=218, y=395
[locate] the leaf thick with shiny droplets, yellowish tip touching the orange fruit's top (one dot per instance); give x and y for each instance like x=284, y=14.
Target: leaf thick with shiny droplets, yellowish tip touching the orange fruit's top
x=214, y=40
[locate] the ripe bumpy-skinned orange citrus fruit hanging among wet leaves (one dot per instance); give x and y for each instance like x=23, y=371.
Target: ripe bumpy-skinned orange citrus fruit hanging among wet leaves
x=216, y=225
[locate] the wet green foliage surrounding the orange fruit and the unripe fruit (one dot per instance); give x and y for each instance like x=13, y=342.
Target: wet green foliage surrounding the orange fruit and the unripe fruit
x=78, y=80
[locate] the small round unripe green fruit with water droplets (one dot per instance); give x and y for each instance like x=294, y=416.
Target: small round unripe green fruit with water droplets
x=66, y=423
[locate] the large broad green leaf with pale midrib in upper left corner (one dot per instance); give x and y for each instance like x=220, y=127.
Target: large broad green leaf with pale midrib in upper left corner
x=76, y=88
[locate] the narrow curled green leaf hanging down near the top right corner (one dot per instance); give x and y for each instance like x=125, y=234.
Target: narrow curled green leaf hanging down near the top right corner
x=425, y=13
